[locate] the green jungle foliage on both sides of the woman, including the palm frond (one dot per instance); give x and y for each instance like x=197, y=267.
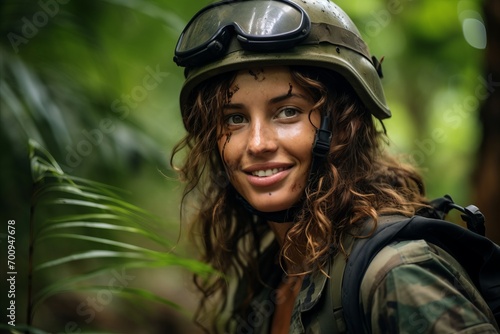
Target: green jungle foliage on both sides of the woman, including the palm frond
x=90, y=89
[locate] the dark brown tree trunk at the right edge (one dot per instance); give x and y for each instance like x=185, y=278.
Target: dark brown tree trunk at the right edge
x=487, y=173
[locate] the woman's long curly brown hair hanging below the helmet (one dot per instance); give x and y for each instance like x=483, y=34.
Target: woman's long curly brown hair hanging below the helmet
x=359, y=180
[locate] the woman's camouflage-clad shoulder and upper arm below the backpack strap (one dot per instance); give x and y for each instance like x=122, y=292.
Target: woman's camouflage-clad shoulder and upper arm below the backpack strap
x=417, y=285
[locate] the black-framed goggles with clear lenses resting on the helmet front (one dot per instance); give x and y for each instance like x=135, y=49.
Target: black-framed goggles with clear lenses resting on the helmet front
x=259, y=25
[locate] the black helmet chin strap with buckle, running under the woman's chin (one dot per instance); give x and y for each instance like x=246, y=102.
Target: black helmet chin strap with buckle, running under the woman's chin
x=320, y=150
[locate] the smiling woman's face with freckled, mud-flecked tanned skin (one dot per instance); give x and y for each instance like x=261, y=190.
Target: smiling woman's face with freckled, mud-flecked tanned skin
x=267, y=136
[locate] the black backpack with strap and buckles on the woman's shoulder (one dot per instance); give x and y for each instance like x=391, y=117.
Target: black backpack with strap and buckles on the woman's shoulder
x=479, y=256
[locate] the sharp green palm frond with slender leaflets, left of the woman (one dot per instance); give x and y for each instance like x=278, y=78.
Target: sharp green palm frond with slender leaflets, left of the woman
x=98, y=209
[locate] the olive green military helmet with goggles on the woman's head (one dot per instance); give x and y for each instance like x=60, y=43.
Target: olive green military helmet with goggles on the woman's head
x=236, y=34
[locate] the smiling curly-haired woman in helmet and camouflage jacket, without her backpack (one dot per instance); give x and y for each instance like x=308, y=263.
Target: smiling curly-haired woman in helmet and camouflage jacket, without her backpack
x=285, y=163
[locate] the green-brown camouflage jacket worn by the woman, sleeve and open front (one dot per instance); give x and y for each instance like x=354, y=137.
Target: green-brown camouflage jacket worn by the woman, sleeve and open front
x=410, y=287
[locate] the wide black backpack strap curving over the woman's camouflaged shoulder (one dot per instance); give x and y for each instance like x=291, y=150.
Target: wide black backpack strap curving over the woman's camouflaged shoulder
x=479, y=256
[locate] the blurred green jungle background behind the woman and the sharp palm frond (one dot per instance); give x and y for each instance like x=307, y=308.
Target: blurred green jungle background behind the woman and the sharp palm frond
x=94, y=83
